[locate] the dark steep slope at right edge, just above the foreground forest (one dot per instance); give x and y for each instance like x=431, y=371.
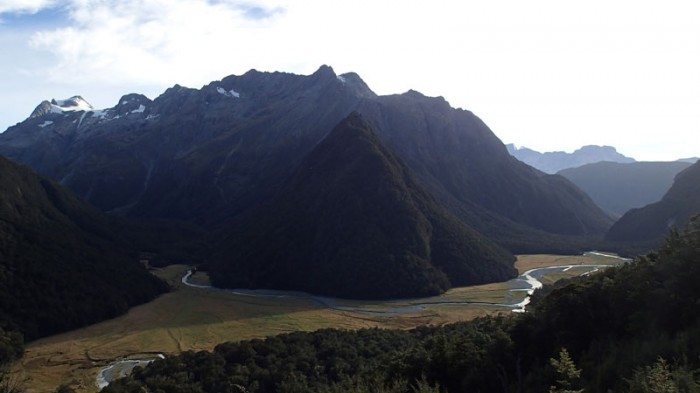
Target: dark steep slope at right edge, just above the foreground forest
x=651, y=223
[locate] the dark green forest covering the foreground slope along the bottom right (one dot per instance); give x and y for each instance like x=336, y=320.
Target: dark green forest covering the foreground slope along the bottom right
x=633, y=328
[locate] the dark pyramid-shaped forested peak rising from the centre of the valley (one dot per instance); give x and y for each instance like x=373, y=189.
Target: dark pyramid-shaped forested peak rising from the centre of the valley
x=352, y=221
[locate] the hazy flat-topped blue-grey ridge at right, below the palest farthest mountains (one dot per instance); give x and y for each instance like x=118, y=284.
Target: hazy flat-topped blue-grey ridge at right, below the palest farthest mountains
x=619, y=187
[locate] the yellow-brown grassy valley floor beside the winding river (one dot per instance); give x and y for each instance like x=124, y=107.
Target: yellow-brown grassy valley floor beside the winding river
x=192, y=318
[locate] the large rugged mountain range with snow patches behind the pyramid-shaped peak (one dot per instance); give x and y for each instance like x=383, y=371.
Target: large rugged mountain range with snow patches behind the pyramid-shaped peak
x=212, y=155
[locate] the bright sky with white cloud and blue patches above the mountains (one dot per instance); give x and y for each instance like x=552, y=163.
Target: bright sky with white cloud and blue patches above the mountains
x=551, y=75
